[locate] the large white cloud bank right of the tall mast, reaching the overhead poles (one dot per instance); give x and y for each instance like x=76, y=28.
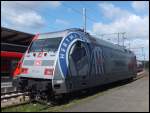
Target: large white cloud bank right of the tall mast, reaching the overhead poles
x=136, y=28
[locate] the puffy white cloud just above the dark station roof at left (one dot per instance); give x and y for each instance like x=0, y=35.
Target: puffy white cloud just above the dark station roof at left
x=24, y=19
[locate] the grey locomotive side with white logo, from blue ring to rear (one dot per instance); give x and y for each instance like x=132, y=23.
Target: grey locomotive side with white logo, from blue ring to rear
x=114, y=65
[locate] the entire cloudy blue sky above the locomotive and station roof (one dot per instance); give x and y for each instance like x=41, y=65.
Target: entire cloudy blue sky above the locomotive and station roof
x=131, y=17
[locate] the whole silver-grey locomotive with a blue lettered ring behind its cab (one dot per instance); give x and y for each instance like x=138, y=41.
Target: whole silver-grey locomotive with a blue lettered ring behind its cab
x=71, y=60
